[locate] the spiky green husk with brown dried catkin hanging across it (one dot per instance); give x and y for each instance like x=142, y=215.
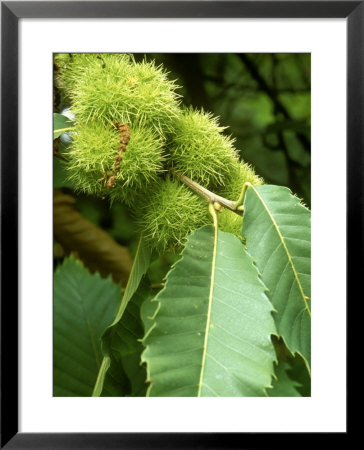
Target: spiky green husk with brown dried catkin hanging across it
x=93, y=155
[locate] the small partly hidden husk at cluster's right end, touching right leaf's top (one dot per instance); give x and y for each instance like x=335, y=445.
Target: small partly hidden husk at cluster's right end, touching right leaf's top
x=240, y=173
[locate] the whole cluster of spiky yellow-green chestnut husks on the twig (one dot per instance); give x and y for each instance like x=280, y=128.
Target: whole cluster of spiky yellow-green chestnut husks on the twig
x=130, y=129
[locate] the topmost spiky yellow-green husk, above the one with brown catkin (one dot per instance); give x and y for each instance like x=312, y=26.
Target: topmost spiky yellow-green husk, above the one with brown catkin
x=109, y=87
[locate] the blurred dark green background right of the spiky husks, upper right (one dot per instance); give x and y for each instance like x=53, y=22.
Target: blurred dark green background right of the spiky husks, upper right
x=264, y=99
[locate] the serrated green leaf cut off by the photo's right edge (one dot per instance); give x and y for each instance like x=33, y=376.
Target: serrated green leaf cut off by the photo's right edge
x=277, y=231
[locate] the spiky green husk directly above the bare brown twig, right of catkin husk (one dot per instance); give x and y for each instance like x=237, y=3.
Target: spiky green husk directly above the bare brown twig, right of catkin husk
x=199, y=150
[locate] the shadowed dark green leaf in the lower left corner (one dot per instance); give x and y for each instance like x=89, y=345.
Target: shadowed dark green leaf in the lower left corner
x=83, y=306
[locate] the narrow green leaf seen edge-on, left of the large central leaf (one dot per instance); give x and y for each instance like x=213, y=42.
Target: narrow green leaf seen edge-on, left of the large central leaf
x=140, y=267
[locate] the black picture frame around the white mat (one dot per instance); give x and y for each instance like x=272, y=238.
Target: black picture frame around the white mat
x=11, y=12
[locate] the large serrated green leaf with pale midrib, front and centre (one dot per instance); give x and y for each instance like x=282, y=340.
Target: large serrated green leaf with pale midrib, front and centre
x=212, y=330
